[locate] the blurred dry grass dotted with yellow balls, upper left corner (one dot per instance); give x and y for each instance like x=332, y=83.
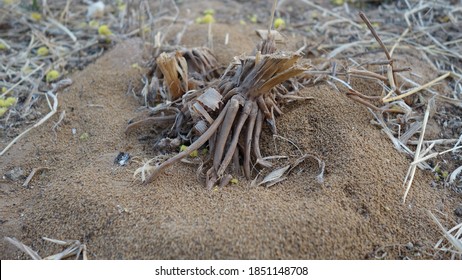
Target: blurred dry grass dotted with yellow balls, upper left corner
x=64, y=37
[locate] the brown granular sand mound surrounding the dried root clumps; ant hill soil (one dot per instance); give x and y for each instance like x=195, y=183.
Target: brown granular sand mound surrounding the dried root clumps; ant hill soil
x=356, y=213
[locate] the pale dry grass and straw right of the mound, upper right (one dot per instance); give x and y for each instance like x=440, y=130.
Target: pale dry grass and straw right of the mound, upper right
x=429, y=28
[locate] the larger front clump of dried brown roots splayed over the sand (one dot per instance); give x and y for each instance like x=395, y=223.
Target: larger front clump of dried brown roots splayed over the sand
x=244, y=97
